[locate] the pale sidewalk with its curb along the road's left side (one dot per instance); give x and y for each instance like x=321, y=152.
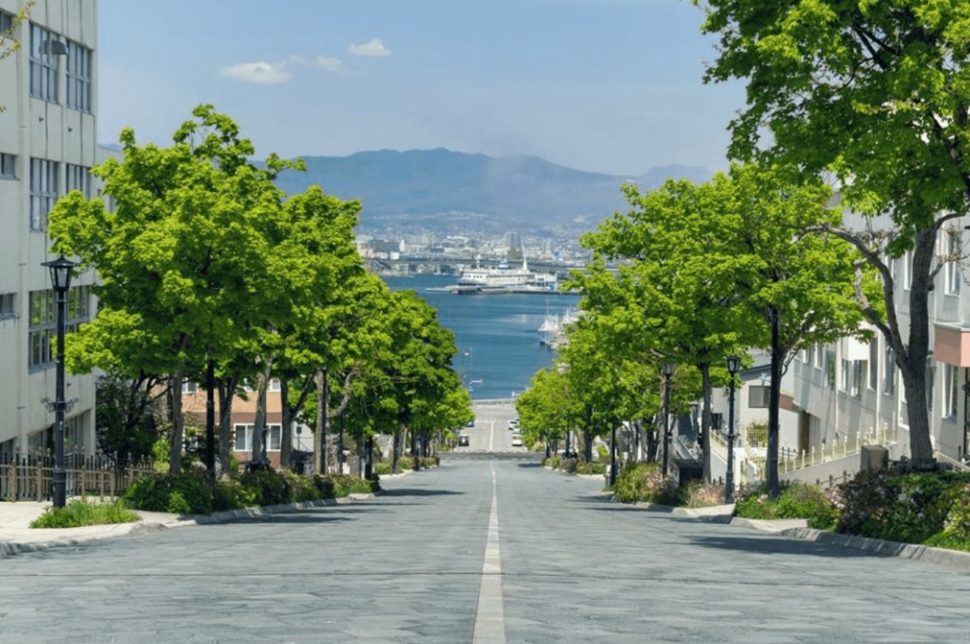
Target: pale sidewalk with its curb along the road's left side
x=16, y=536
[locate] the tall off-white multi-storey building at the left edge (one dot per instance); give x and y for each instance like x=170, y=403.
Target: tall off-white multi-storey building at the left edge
x=47, y=147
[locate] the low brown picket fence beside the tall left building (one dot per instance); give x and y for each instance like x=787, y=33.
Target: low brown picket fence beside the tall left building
x=27, y=476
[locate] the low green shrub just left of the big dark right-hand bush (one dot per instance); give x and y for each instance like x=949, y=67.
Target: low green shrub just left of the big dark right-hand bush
x=795, y=501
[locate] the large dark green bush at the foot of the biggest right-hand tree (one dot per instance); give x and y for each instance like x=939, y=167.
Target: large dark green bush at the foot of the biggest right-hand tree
x=907, y=507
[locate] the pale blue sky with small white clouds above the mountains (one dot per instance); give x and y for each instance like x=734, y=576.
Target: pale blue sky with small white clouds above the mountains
x=601, y=85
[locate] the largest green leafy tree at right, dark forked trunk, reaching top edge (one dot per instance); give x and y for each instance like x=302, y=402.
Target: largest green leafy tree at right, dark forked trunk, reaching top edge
x=874, y=94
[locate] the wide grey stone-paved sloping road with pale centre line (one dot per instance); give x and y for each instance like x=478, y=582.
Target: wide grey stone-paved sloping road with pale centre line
x=408, y=565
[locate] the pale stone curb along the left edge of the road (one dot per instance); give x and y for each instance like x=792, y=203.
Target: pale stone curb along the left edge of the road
x=114, y=531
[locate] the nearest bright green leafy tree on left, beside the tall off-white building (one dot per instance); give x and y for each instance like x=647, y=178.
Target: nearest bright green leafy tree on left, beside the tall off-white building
x=188, y=246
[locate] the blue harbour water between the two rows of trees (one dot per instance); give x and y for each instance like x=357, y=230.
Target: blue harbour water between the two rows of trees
x=497, y=335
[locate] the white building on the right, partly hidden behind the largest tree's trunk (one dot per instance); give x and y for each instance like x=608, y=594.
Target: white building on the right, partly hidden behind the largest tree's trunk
x=851, y=386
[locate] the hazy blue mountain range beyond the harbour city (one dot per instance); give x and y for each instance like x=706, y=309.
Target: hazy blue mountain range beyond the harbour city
x=433, y=188
